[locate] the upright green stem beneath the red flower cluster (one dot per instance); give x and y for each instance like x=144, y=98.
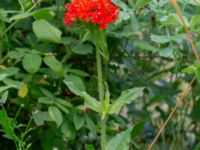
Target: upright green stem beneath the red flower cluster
x=101, y=93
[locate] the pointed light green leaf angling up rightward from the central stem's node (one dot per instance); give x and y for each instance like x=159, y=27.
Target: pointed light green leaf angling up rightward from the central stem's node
x=126, y=97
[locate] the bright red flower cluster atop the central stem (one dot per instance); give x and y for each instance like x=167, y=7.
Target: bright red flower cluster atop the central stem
x=101, y=12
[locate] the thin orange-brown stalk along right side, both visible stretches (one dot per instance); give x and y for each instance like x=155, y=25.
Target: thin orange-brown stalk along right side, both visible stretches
x=187, y=89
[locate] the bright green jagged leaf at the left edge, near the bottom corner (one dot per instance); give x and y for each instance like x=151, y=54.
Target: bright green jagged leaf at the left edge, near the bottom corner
x=8, y=126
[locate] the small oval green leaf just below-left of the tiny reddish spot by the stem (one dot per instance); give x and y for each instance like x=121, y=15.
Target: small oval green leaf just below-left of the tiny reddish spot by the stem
x=79, y=120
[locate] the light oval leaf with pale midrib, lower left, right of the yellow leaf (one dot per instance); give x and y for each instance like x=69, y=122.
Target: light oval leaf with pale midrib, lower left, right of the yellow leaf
x=55, y=115
